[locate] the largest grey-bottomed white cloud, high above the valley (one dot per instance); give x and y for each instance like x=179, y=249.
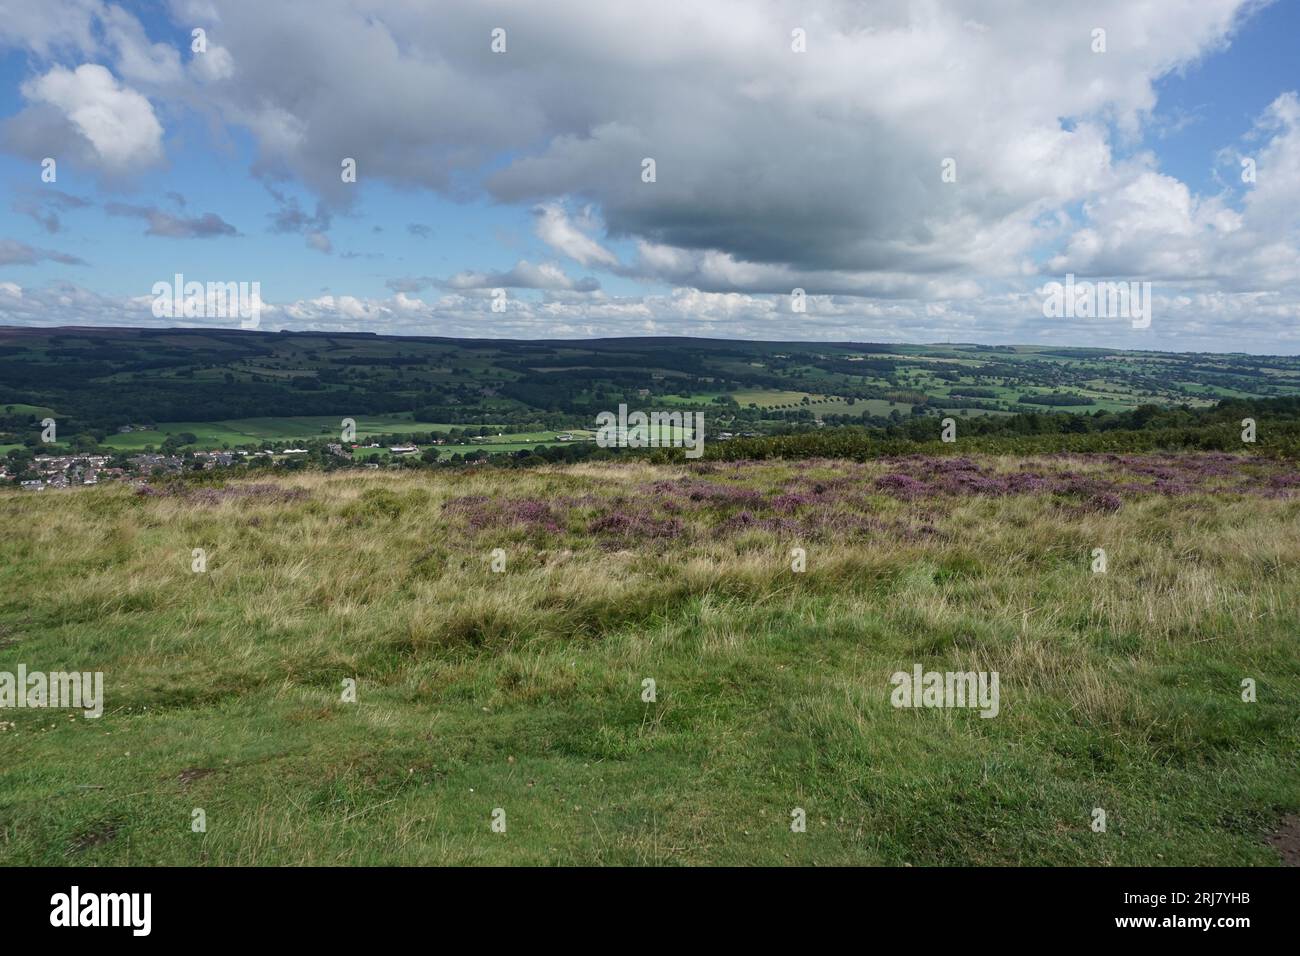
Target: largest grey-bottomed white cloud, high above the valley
x=773, y=167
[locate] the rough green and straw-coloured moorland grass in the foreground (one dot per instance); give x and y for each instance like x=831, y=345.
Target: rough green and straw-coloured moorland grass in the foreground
x=523, y=690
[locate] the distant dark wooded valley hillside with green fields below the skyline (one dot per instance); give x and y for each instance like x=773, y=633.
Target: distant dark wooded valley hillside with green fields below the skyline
x=773, y=399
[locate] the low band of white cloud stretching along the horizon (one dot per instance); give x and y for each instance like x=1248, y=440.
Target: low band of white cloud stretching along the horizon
x=1184, y=318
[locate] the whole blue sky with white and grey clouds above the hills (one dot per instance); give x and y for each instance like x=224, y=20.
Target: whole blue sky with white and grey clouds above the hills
x=922, y=171
